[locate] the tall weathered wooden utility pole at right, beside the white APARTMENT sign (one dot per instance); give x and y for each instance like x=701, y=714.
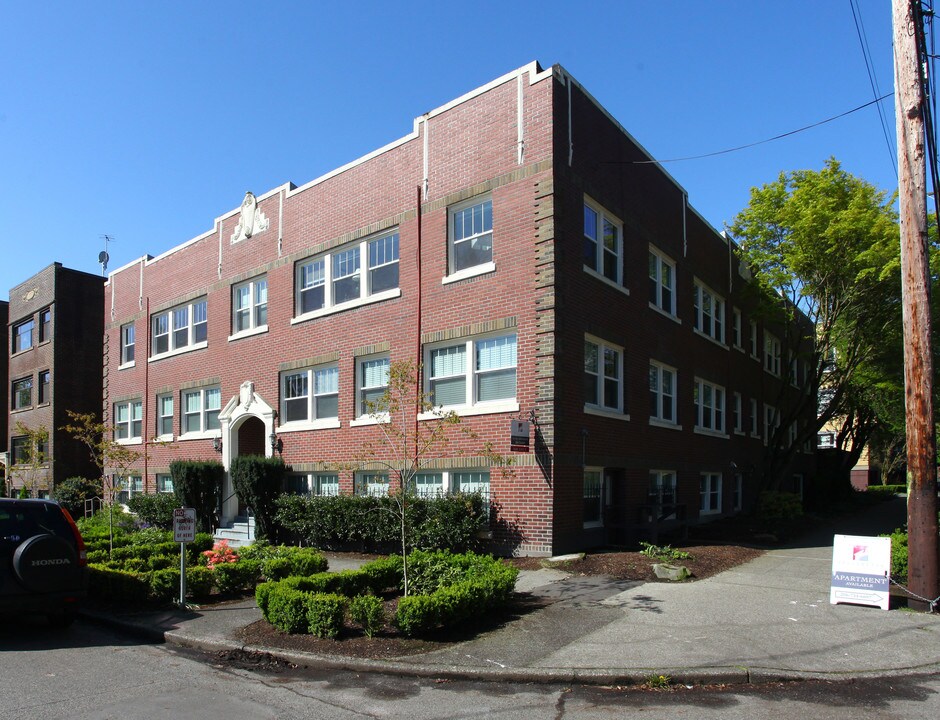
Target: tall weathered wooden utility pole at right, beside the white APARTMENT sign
x=915, y=294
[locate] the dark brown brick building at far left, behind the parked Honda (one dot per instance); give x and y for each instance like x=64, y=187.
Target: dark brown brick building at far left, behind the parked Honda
x=54, y=360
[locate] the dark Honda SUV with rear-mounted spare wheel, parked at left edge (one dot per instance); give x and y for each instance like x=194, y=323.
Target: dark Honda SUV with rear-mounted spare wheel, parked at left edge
x=43, y=568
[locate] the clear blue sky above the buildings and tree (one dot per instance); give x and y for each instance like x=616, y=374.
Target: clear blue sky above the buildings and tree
x=147, y=121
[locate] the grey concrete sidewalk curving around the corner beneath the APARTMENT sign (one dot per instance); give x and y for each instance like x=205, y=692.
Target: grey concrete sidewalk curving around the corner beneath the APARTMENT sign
x=769, y=619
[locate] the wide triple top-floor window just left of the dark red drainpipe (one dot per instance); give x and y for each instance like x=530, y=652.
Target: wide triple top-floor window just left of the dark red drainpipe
x=336, y=280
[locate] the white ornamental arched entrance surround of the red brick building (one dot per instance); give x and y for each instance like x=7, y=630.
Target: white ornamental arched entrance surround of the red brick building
x=247, y=422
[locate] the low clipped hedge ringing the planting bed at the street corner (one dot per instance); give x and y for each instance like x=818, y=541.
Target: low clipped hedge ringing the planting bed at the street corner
x=467, y=586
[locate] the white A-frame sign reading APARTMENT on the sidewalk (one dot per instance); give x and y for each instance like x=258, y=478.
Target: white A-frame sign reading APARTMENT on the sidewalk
x=860, y=568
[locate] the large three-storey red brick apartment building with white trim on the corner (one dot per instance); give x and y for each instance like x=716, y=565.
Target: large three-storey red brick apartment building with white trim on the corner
x=512, y=245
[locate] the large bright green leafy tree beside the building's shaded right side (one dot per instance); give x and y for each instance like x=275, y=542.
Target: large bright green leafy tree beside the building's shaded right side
x=826, y=243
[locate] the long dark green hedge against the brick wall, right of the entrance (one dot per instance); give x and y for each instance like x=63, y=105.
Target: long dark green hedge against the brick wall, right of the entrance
x=451, y=522
